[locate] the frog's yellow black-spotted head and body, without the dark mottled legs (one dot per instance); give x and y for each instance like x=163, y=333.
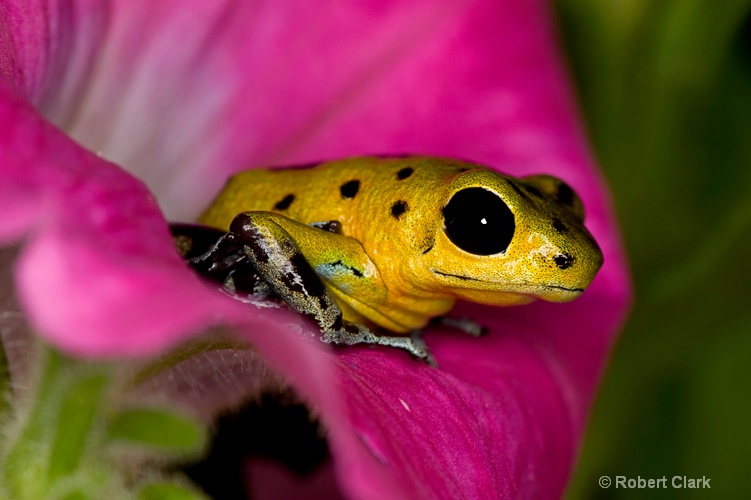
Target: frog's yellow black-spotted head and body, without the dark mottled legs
x=392, y=262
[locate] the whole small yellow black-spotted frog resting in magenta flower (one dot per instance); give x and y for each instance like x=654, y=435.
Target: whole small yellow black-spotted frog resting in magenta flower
x=374, y=248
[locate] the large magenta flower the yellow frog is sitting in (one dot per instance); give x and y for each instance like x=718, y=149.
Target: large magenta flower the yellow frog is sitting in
x=184, y=93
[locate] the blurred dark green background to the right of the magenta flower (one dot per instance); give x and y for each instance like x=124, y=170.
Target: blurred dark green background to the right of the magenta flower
x=664, y=86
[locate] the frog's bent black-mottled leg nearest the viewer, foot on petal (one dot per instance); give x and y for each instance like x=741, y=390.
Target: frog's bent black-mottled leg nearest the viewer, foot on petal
x=278, y=258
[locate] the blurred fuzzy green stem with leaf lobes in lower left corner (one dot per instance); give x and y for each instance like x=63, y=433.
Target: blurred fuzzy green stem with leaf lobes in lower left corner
x=59, y=442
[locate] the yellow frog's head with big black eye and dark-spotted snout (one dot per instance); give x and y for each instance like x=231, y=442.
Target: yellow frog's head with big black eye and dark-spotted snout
x=506, y=241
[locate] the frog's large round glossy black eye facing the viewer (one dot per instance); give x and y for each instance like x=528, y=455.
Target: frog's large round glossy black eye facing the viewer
x=478, y=221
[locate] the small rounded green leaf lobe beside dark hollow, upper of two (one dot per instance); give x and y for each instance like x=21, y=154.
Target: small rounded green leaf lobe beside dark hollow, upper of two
x=158, y=428
